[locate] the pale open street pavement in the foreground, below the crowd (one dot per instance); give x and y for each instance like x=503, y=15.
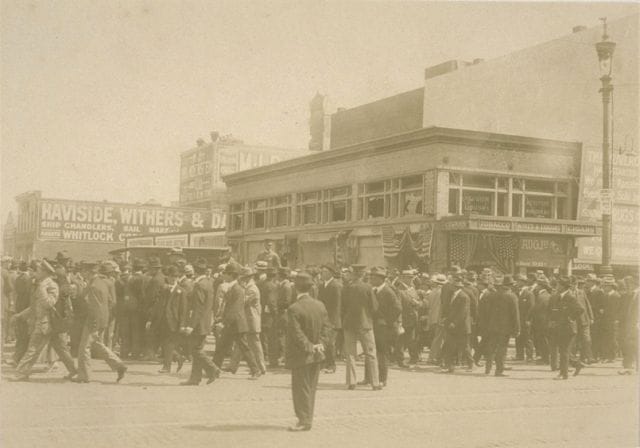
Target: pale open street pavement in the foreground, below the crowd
x=418, y=408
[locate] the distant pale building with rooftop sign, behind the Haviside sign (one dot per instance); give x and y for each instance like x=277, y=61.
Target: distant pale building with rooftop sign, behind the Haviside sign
x=202, y=168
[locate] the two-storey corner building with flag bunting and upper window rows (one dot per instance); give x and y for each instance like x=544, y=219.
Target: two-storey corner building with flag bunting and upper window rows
x=429, y=198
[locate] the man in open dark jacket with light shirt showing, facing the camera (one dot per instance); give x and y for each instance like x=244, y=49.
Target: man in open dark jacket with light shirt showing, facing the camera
x=170, y=315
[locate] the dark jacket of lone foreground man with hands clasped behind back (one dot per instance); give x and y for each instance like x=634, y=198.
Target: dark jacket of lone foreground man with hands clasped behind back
x=307, y=325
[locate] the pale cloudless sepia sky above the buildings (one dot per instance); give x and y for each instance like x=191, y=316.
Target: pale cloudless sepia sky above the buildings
x=98, y=98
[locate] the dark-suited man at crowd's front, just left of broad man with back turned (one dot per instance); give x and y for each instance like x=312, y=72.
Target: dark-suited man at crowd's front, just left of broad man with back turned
x=457, y=325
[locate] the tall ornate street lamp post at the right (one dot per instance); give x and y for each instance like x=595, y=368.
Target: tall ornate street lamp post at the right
x=605, y=50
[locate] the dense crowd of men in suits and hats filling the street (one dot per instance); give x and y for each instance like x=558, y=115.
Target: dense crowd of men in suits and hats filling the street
x=147, y=311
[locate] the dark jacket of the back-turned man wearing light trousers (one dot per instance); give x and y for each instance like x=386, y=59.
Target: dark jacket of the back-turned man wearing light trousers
x=358, y=306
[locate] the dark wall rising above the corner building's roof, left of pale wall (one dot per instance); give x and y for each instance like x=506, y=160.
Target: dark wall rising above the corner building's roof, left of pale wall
x=388, y=116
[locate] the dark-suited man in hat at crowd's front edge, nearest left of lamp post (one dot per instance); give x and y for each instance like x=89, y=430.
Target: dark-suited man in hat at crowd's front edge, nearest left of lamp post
x=564, y=312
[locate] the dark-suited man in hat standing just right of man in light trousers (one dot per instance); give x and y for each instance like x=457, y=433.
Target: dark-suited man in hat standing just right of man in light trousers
x=386, y=320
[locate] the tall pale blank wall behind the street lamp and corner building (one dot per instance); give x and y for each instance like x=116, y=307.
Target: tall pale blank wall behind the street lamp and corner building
x=552, y=91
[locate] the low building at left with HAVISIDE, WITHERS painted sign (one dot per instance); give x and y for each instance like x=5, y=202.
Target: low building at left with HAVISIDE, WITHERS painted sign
x=88, y=230
